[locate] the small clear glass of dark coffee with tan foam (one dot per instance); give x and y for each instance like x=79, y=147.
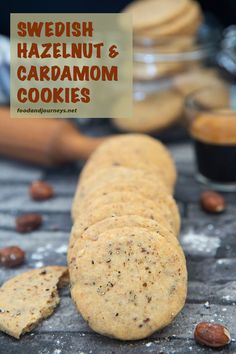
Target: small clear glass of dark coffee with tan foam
x=211, y=119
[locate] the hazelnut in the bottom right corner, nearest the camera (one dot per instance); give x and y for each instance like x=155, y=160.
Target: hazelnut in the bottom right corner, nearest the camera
x=212, y=334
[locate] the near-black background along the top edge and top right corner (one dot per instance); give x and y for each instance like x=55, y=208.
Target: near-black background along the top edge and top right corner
x=224, y=10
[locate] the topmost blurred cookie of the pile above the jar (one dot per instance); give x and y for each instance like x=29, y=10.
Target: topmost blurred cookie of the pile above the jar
x=149, y=13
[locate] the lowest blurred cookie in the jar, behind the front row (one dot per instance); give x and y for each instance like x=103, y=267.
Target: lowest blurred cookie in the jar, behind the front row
x=153, y=113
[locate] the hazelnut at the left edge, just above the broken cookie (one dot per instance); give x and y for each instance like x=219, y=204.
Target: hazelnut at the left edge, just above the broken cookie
x=11, y=256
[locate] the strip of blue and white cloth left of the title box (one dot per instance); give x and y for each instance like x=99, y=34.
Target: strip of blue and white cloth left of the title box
x=4, y=70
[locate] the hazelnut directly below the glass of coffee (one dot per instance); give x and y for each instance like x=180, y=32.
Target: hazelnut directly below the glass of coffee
x=212, y=202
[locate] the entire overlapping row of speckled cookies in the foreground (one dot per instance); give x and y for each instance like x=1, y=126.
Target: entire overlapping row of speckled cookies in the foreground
x=127, y=269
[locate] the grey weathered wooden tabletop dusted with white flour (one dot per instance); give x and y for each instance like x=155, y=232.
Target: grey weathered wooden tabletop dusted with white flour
x=209, y=243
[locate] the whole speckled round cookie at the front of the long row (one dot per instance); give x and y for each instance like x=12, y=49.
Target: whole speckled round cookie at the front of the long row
x=130, y=282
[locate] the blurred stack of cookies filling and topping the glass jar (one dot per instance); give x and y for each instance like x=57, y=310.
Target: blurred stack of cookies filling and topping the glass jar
x=164, y=32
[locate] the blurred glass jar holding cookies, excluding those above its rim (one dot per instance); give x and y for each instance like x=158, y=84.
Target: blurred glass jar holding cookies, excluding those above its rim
x=166, y=70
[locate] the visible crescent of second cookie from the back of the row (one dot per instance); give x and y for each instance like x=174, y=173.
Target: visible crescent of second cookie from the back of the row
x=123, y=179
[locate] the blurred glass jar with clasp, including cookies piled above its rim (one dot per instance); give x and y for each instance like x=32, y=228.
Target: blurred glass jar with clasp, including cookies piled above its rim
x=174, y=51
